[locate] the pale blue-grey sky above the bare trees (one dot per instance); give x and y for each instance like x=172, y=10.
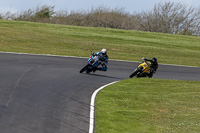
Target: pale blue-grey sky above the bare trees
x=130, y=6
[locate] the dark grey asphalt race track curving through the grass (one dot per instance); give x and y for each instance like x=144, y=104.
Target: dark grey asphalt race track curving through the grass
x=47, y=94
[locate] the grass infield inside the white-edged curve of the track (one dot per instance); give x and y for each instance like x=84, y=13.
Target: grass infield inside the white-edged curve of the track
x=149, y=106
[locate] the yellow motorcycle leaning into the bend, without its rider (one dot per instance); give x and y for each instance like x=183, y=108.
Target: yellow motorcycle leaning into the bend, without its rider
x=141, y=70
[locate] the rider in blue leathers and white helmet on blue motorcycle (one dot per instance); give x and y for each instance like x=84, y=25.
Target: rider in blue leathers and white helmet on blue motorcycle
x=104, y=59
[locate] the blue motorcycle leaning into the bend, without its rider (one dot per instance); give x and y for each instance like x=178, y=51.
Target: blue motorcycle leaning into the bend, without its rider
x=92, y=64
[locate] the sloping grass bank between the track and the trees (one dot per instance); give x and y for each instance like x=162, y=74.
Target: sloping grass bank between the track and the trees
x=40, y=38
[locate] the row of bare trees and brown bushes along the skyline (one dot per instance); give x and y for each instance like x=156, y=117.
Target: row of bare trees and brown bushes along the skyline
x=168, y=17
